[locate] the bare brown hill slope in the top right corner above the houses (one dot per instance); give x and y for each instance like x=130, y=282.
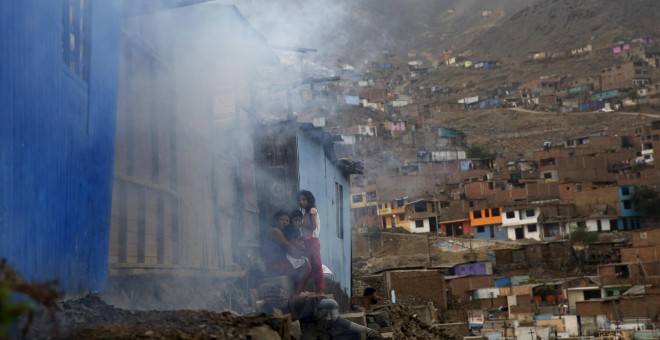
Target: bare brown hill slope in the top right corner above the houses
x=561, y=24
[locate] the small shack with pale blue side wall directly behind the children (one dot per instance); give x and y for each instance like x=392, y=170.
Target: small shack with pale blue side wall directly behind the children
x=294, y=156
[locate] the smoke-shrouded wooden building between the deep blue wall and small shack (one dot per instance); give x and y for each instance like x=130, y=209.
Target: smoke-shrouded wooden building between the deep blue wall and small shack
x=184, y=194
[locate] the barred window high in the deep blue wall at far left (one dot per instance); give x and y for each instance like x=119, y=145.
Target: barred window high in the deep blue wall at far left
x=76, y=36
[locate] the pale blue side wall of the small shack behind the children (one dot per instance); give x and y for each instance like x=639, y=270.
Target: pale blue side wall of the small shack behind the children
x=318, y=175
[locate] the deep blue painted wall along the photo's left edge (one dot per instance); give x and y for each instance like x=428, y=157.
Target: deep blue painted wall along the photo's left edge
x=56, y=143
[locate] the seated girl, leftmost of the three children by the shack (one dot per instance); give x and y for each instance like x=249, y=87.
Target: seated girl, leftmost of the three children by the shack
x=275, y=249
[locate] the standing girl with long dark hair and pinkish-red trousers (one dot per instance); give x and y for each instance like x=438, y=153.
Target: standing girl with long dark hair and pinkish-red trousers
x=311, y=227
